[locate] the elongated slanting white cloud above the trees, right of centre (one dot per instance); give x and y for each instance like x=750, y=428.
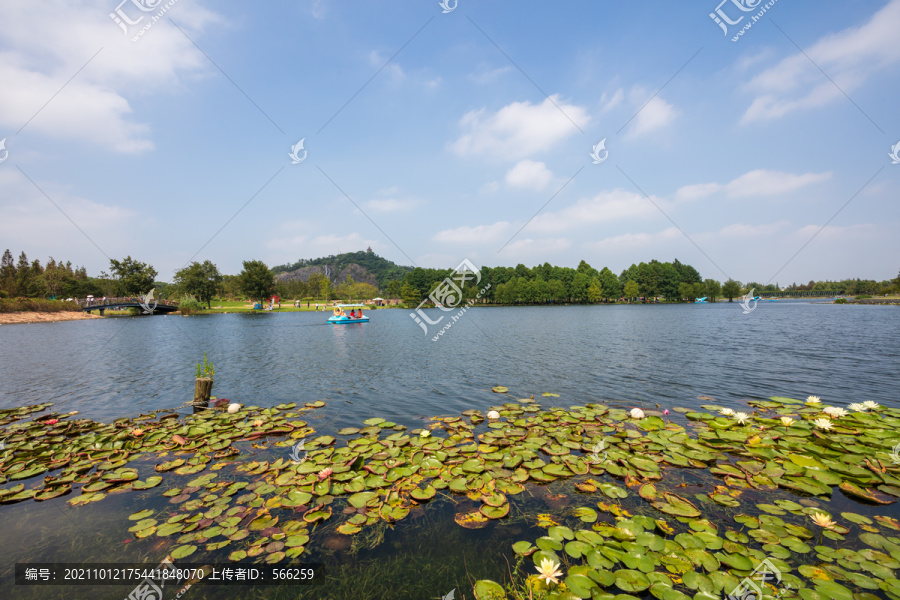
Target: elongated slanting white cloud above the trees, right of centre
x=605, y=206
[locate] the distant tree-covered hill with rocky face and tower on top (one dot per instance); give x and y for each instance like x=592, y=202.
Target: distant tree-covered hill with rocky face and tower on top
x=362, y=266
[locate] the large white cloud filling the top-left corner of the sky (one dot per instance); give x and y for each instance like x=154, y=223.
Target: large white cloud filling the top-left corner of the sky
x=46, y=43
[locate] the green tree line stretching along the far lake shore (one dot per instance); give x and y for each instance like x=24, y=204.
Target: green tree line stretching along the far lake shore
x=543, y=284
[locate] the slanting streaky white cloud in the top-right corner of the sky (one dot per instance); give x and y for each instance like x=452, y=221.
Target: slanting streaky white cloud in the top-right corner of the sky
x=850, y=57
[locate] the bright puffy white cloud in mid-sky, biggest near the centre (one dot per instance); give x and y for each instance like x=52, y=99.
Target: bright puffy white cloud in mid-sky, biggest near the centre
x=520, y=129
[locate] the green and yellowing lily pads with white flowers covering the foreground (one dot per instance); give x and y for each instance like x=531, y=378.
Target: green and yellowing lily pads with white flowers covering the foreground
x=633, y=528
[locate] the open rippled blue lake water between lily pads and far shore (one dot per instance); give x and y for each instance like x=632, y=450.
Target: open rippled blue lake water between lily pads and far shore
x=624, y=355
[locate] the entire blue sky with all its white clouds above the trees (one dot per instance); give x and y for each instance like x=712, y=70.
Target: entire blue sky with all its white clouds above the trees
x=434, y=137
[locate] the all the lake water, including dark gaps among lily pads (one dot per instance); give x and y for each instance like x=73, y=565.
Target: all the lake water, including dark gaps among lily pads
x=624, y=356
